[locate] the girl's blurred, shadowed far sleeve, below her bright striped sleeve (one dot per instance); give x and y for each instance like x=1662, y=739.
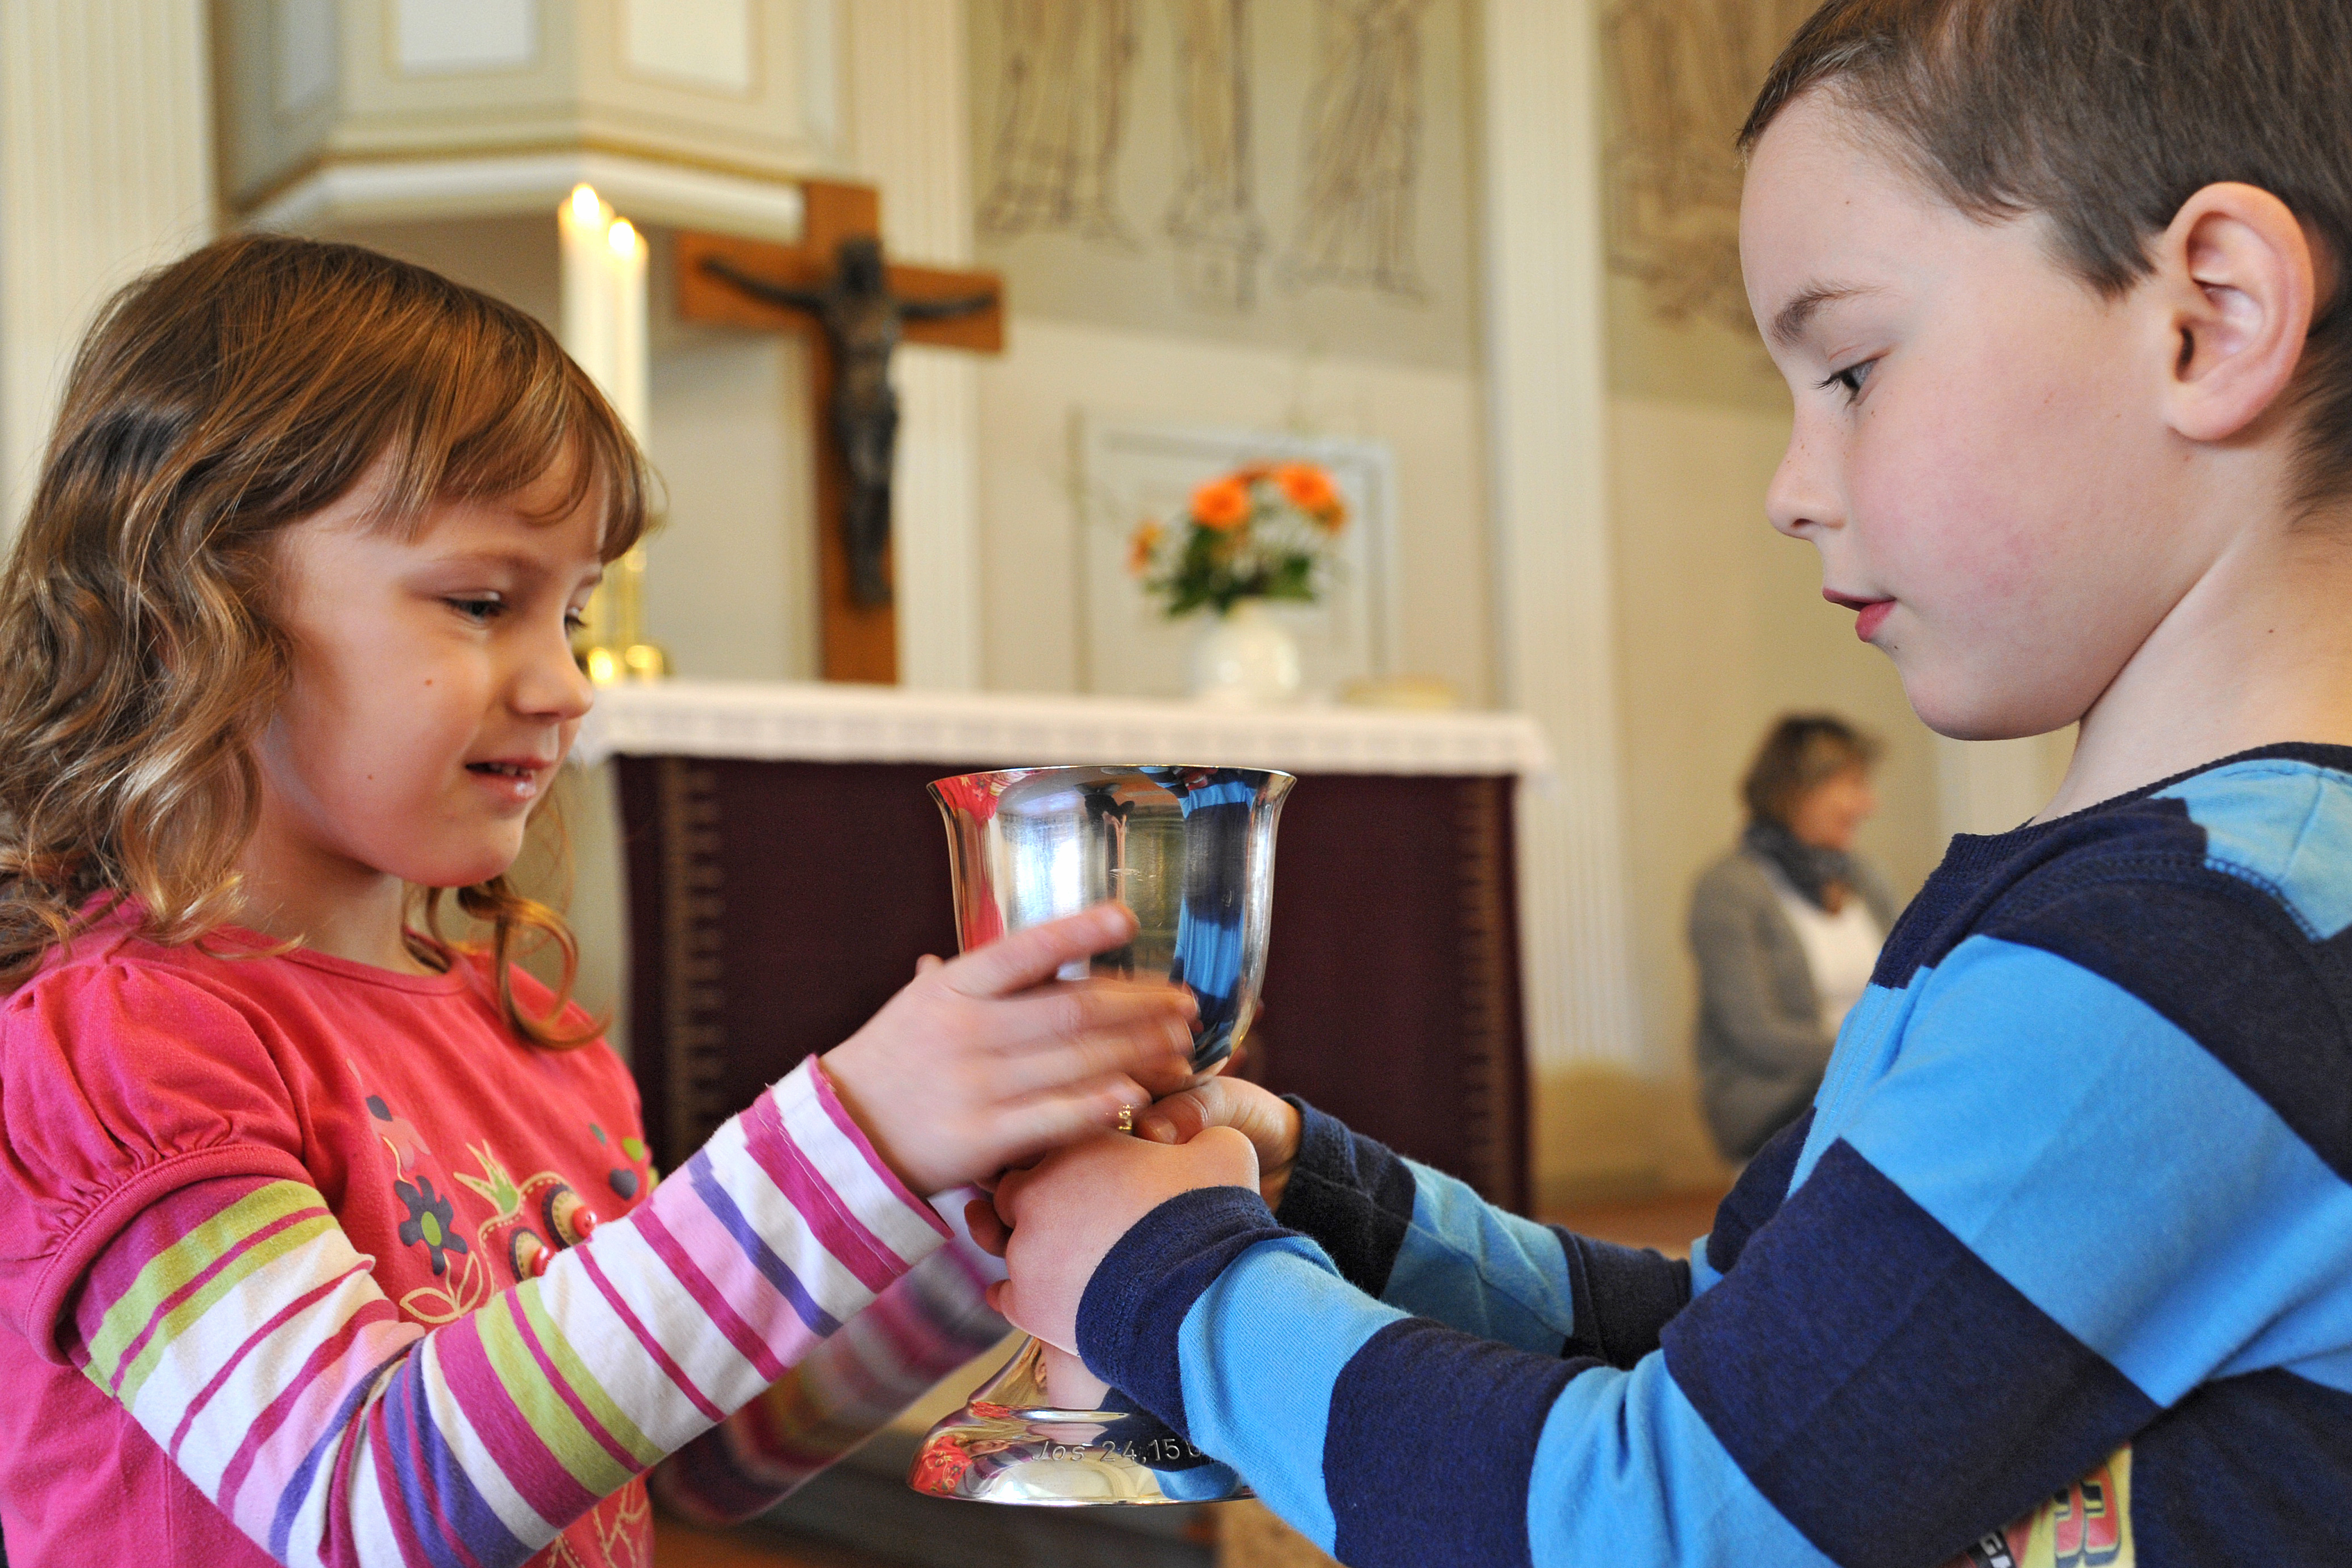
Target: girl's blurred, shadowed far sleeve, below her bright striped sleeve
x=846, y=1391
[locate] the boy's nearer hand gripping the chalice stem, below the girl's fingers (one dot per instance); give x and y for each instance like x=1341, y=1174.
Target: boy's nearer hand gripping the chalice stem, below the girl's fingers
x=1076, y=1205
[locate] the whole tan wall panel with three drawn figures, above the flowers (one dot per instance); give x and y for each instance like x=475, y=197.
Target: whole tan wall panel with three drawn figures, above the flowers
x=1288, y=175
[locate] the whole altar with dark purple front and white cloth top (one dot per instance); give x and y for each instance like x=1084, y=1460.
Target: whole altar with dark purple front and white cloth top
x=787, y=869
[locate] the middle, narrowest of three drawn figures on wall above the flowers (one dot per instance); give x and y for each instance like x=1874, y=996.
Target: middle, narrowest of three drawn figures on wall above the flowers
x=1212, y=222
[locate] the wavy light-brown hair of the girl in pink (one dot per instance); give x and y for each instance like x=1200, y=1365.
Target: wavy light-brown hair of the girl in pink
x=215, y=403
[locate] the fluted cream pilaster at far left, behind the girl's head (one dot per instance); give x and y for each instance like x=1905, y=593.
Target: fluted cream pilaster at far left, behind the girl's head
x=105, y=170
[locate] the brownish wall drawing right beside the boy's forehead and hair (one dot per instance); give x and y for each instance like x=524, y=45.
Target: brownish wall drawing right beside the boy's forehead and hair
x=1683, y=76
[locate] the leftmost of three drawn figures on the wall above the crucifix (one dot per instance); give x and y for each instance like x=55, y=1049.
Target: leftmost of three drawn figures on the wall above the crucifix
x=1062, y=109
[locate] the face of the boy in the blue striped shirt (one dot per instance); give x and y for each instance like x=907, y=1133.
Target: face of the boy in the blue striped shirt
x=1979, y=448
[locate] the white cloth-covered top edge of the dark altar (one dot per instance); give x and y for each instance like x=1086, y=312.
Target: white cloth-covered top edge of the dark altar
x=820, y=723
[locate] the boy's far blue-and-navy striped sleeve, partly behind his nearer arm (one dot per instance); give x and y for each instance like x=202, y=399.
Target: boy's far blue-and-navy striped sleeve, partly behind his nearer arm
x=1426, y=1242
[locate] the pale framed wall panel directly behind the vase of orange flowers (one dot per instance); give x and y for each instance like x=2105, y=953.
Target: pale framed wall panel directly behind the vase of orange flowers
x=1140, y=471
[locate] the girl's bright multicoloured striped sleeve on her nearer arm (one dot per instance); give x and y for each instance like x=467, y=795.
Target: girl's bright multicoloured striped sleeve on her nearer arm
x=243, y=1332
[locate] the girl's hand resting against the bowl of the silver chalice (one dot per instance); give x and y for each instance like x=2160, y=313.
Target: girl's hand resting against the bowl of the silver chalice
x=987, y=1061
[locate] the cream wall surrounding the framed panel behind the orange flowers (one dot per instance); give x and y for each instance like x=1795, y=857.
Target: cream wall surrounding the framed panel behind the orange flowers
x=1029, y=481
